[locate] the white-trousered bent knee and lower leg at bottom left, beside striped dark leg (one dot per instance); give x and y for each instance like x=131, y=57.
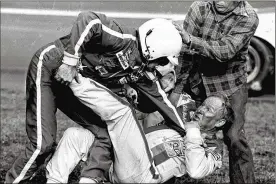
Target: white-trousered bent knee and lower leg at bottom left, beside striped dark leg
x=73, y=147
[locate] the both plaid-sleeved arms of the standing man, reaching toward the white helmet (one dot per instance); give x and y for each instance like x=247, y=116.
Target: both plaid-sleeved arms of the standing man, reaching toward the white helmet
x=228, y=45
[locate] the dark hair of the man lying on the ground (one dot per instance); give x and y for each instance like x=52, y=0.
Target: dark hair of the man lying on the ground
x=228, y=112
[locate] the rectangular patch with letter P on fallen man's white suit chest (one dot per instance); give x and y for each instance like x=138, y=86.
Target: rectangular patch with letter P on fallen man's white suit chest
x=175, y=148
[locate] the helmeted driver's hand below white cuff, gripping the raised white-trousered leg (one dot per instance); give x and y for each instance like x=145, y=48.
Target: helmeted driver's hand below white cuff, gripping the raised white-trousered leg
x=66, y=74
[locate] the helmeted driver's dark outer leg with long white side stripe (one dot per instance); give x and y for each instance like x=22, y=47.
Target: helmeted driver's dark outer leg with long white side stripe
x=40, y=116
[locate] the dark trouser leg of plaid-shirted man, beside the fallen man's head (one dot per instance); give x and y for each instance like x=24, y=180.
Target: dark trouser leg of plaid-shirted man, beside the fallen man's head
x=240, y=156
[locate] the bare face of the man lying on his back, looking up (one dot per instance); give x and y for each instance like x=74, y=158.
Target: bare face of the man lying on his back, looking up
x=211, y=111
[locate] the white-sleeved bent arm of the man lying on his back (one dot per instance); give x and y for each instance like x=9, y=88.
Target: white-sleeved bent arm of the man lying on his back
x=200, y=161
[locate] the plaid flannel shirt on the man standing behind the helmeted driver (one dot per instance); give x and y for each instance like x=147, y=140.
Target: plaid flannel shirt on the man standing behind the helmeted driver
x=219, y=44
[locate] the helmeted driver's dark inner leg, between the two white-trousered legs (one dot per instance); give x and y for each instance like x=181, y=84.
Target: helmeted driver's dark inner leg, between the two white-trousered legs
x=100, y=157
